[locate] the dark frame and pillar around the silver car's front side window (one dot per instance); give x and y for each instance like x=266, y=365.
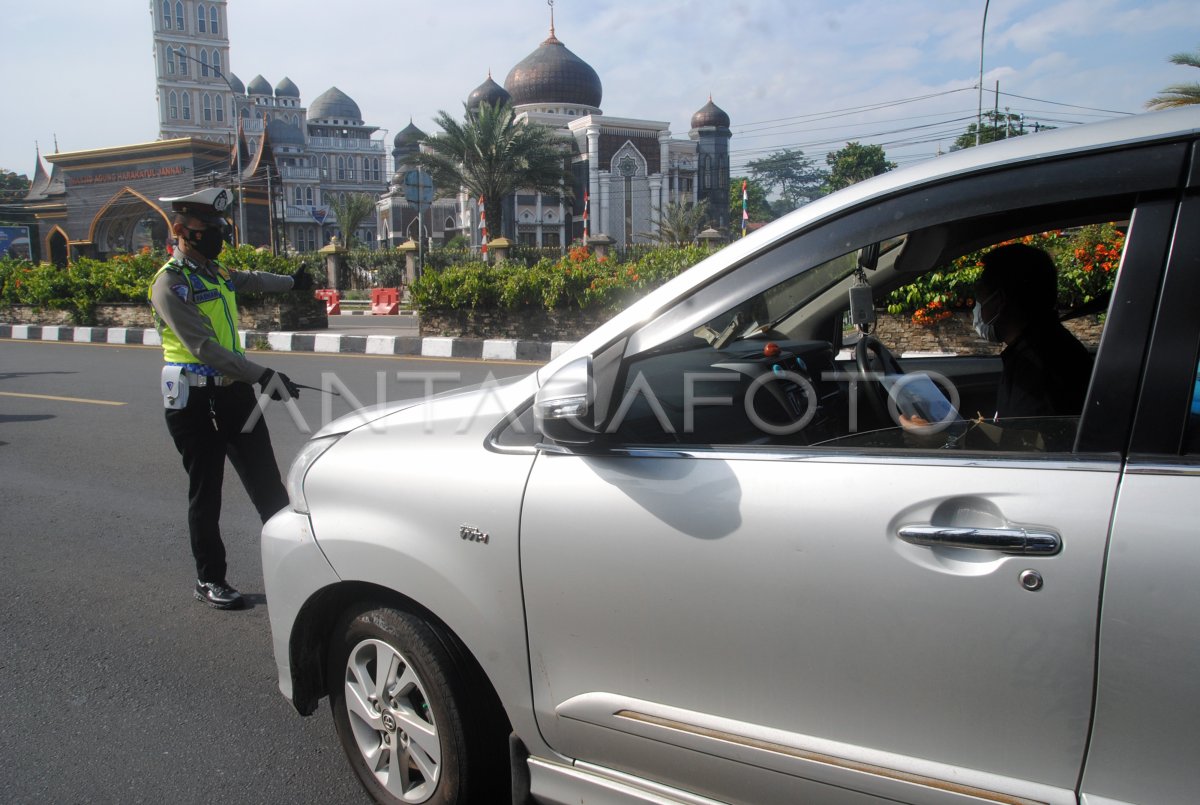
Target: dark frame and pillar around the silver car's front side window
x=1107, y=183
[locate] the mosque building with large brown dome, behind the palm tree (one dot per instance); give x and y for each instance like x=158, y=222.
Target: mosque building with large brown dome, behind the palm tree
x=625, y=170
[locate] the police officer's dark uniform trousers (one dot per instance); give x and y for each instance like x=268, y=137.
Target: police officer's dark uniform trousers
x=205, y=449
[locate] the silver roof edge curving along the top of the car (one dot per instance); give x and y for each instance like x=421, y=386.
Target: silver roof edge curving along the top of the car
x=1142, y=129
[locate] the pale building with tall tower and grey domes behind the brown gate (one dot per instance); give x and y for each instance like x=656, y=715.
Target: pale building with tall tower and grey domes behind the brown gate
x=302, y=159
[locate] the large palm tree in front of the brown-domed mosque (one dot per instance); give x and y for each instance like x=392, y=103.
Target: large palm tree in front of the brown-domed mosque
x=490, y=154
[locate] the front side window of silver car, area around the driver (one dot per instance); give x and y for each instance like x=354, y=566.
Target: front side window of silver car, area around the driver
x=781, y=368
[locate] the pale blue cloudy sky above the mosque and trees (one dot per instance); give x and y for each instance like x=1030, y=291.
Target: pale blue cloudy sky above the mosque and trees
x=791, y=74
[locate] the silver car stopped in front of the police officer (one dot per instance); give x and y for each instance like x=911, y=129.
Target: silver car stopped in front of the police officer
x=699, y=560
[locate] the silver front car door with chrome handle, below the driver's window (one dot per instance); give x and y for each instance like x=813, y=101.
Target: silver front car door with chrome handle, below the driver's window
x=757, y=624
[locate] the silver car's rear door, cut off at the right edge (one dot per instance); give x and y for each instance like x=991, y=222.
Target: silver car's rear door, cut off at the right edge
x=1148, y=702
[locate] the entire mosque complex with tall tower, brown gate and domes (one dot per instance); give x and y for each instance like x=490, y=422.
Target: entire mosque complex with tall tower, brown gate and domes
x=291, y=161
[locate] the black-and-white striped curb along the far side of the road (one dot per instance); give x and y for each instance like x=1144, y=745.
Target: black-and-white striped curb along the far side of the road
x=499, y=350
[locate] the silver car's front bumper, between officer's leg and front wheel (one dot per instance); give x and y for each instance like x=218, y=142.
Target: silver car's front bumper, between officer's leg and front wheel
x=293, y=570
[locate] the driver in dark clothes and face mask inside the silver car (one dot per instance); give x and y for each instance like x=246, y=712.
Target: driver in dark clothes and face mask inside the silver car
x=1046, y=368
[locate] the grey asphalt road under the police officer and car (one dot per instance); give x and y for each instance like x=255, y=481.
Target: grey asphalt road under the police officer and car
x=116, y=686
